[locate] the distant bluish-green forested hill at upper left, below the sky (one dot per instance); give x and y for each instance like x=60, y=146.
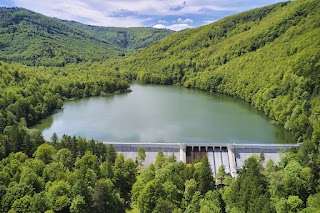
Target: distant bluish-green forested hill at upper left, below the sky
x=35, y=39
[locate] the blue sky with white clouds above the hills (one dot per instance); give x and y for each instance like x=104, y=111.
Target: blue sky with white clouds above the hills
x=170, y=14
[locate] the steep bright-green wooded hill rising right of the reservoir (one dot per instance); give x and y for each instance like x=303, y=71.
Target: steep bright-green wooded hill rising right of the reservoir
x=267, y=56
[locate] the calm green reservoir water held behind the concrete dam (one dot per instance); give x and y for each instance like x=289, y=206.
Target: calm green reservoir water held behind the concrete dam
x=152, y=113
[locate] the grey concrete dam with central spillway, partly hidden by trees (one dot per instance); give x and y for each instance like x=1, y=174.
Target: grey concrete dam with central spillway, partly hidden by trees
x=232, y=156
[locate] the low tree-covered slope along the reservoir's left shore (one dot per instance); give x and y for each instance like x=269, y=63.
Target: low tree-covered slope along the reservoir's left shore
x=29, y=94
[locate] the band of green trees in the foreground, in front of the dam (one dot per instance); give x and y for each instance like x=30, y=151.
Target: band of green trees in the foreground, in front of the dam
x=79, y=175
